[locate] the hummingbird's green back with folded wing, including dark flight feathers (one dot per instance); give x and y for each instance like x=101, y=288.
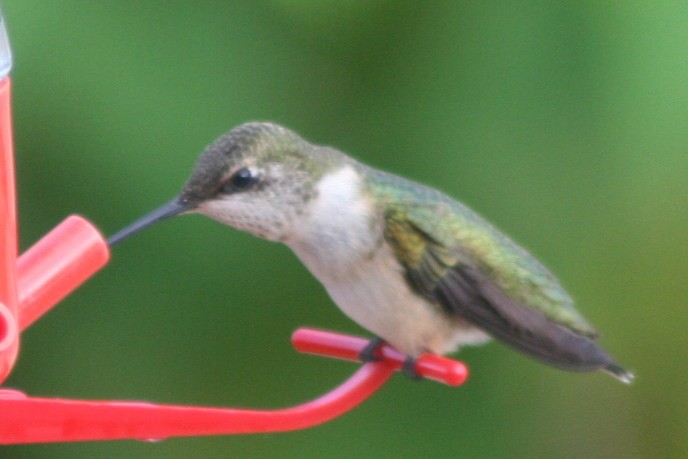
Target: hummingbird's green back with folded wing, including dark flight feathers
x=464, y=265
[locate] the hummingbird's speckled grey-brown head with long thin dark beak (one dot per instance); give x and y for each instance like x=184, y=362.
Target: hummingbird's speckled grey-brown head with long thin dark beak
x=258, y=177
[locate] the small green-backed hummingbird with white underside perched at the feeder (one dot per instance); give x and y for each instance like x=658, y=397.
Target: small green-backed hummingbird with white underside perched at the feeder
x=418, y=269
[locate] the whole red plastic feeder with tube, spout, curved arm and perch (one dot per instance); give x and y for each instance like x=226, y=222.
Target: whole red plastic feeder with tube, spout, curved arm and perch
x=71, y=253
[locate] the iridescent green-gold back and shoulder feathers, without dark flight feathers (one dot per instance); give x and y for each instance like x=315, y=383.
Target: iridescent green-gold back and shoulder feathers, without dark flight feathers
x=432, y=234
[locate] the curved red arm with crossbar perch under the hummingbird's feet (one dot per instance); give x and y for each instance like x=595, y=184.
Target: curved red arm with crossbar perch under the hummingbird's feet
x=40, y=420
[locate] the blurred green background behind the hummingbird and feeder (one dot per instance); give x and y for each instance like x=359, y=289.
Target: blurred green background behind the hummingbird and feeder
x=564, y=124
